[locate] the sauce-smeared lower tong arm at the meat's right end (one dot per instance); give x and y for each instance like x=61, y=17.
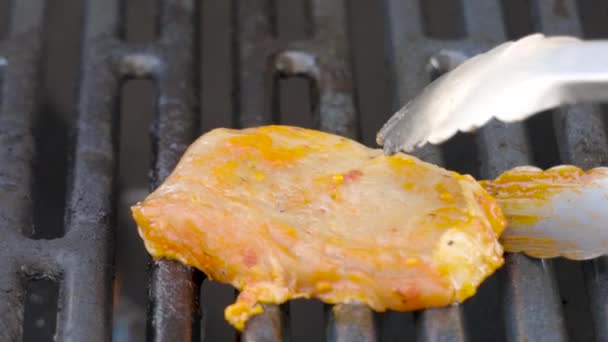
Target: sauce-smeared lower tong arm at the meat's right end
x=559, y=212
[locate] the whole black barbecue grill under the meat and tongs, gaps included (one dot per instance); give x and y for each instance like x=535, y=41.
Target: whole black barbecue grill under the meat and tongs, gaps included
x=57, y=271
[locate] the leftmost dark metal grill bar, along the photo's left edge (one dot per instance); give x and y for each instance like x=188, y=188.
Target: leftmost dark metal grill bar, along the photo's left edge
x=20, y=67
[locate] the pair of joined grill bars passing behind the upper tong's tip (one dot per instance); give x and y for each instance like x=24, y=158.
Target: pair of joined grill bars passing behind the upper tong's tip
x=532, y=307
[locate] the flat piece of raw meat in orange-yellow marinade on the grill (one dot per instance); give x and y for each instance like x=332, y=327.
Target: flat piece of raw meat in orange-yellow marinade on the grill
x=281, y=212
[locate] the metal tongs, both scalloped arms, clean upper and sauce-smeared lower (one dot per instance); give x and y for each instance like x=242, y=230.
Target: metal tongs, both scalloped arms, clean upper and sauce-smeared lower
x=512, y=82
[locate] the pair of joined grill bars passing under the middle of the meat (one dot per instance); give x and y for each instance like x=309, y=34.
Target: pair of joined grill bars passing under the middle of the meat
x=325, y=60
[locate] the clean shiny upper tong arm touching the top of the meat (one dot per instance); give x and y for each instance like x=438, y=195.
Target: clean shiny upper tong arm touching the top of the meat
x=510, y=82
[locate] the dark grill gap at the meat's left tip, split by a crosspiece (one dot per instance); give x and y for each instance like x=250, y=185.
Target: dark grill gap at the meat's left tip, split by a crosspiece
x=137, y=108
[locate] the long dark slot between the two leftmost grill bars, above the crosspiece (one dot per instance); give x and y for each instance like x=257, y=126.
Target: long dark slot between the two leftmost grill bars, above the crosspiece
x=54, y=121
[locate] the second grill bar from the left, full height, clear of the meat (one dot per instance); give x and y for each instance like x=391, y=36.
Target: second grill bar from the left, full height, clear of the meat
x=87, y=273
